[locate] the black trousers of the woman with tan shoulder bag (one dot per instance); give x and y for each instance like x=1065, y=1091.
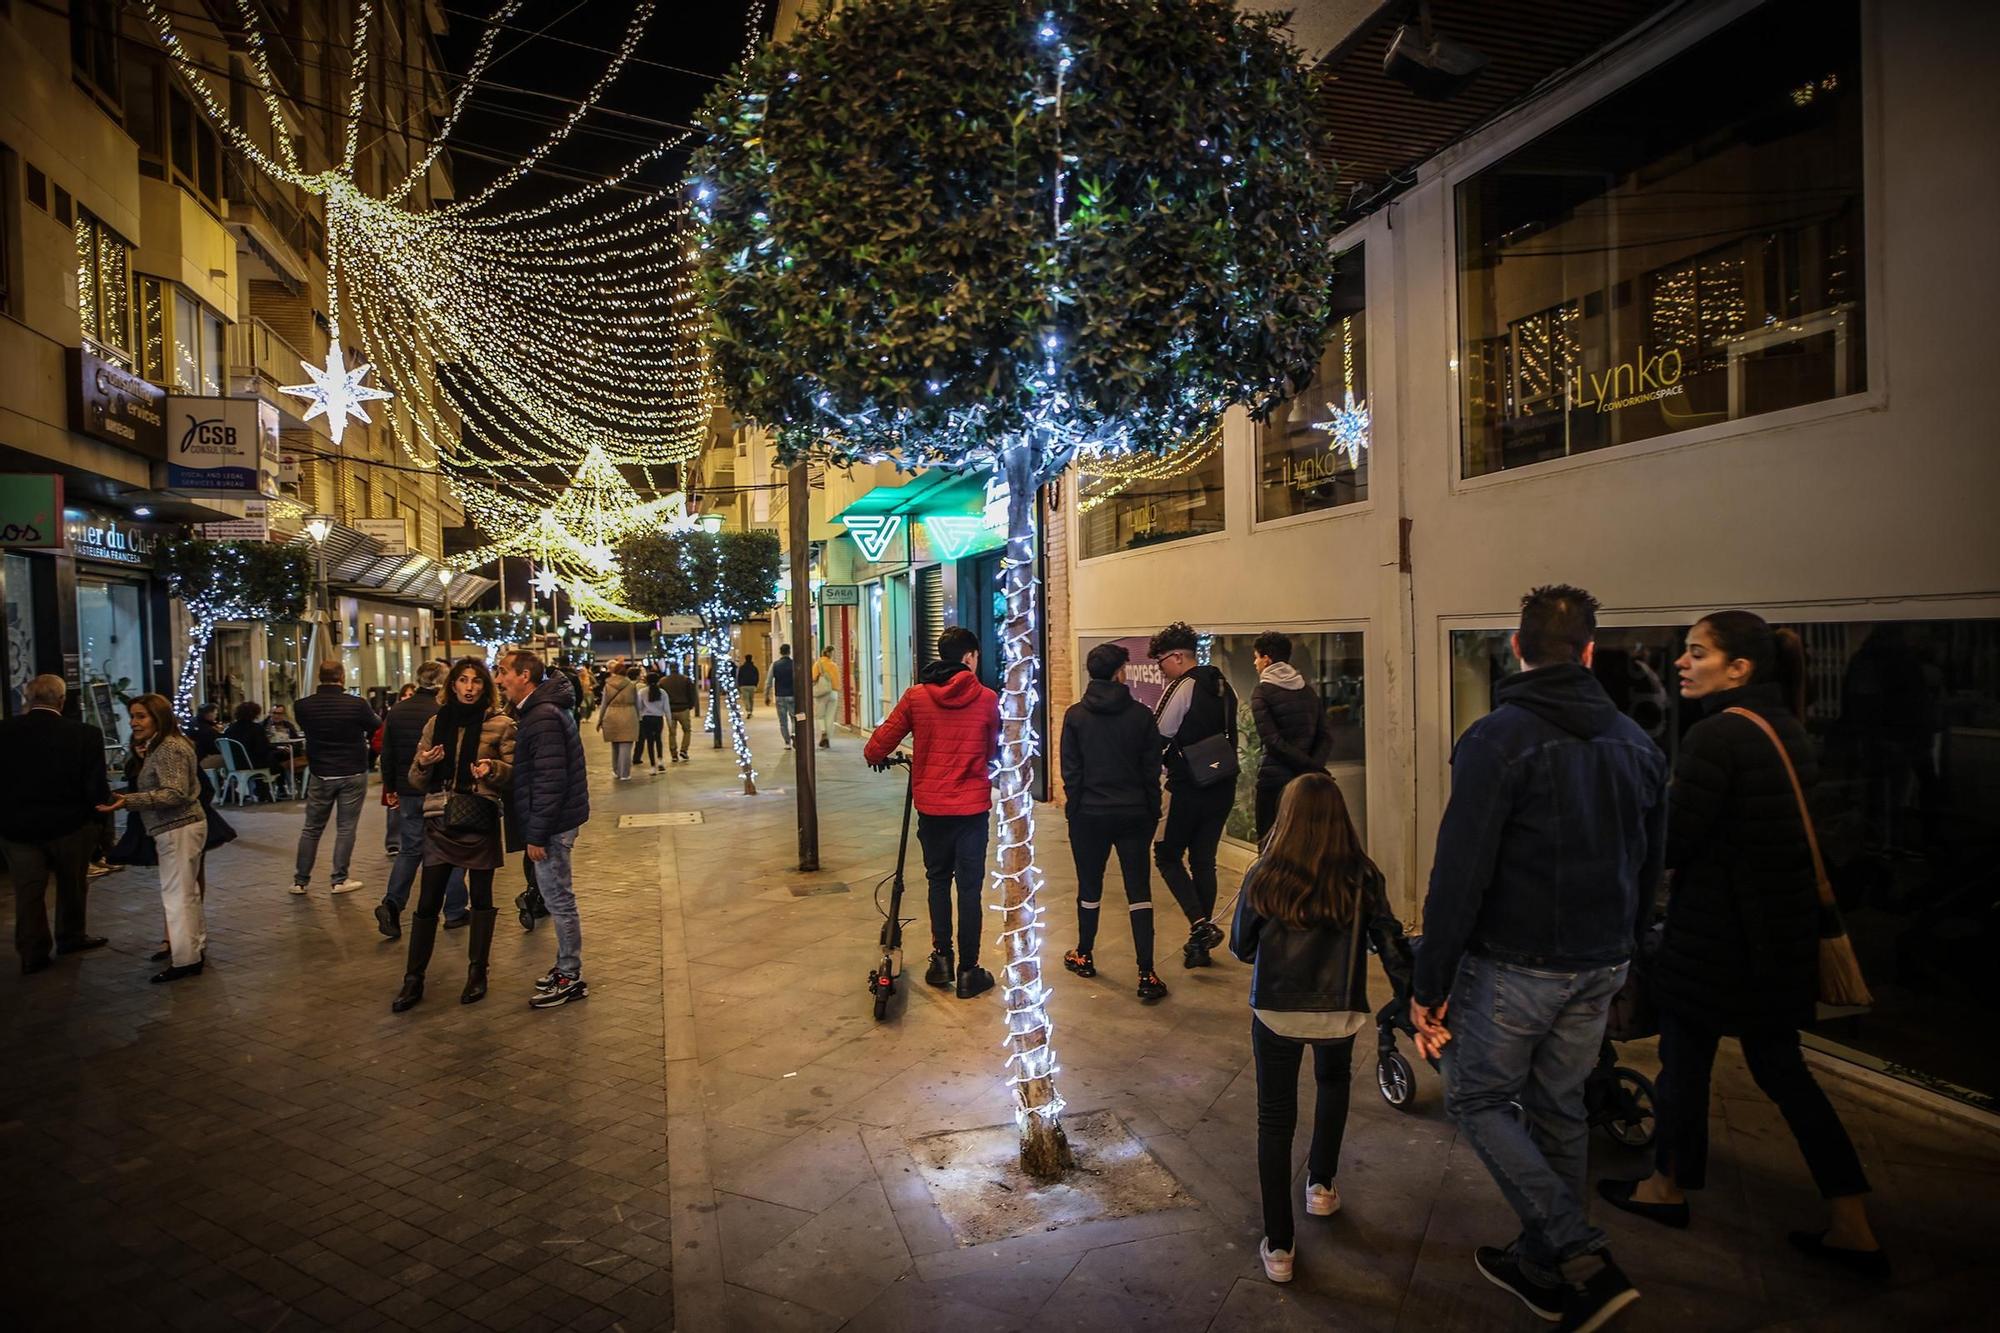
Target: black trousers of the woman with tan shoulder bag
x=1689, y=1058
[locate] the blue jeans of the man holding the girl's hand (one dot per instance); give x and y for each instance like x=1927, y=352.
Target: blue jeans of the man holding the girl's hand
x=1531, y=1036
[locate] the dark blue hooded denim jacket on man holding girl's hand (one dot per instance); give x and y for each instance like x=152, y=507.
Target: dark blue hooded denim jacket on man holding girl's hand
x=1553, y=840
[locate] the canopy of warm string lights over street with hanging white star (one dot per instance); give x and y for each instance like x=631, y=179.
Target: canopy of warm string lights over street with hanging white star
x=527, y=353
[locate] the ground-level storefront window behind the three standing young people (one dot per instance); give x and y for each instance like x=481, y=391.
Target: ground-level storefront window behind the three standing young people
x=1333, y=668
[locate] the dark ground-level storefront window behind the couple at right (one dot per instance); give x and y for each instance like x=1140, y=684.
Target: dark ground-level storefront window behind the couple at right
x=1907, y=724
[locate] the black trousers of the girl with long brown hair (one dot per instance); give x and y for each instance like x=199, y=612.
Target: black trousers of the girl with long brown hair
x=1277, y=1118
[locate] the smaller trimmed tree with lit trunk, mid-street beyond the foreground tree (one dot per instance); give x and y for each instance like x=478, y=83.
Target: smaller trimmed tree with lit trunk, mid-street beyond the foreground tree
x=715, y=577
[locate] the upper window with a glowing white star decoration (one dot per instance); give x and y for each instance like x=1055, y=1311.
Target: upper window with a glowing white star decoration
x=1313, y=453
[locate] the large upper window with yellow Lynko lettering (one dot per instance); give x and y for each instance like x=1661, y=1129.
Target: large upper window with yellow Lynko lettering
x=1685, y=253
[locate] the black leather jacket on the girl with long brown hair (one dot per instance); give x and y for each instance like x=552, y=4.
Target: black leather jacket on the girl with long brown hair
x=1319, y=970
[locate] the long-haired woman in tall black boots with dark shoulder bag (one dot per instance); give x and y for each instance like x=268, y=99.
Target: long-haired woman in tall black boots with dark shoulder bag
x=465, y=764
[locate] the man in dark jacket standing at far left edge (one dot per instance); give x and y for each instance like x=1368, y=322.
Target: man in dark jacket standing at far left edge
x=51, y=794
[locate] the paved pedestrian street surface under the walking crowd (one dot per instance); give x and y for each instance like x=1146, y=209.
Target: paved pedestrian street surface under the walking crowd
x=721, y=1138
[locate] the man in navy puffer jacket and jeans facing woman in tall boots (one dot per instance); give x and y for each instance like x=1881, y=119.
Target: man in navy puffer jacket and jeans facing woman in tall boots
x=551, y=804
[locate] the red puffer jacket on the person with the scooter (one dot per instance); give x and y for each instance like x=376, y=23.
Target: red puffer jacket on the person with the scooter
x=957, y=726
